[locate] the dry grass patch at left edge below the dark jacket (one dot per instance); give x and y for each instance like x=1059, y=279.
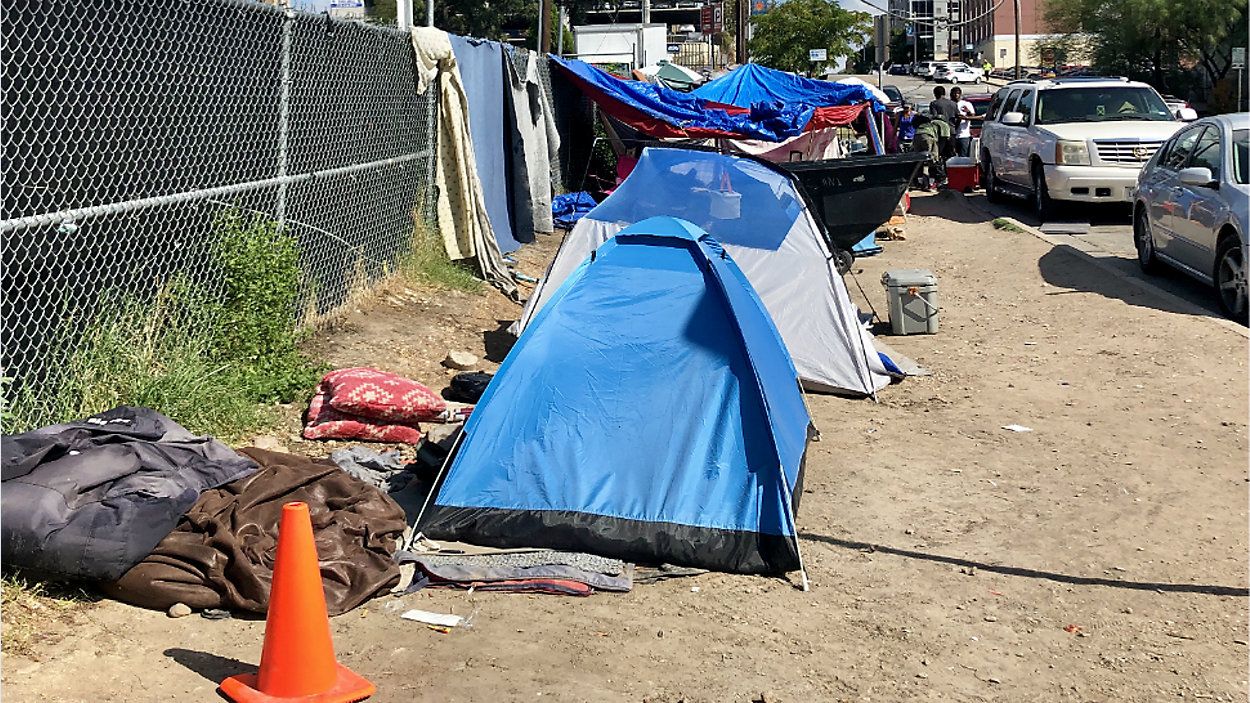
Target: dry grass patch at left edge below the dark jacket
x=33, y=614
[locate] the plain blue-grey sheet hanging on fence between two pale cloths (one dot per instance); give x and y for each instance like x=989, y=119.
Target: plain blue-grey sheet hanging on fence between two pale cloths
x=482, y=71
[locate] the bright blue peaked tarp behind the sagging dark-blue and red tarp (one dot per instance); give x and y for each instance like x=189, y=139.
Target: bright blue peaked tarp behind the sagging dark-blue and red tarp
x=753, y=84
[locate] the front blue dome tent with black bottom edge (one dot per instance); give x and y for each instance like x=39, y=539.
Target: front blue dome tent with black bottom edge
x=591, y=440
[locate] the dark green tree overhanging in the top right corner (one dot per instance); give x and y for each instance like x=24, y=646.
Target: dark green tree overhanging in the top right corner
x=1153, y=38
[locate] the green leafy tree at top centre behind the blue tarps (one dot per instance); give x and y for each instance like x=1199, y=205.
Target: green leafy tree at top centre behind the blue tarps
x=784, y=36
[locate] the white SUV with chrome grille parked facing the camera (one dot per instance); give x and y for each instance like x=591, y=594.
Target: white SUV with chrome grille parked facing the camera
x=1072, y=139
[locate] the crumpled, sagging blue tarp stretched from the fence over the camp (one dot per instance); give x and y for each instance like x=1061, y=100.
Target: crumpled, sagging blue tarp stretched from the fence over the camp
x=662, y=112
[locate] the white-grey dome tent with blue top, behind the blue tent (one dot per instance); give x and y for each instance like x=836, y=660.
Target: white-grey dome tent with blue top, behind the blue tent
x=756, y=211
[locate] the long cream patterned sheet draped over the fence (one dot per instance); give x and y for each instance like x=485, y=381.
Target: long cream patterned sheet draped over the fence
x=462, y=207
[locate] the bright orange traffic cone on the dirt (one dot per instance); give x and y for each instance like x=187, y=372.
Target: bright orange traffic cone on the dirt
x=298, y=660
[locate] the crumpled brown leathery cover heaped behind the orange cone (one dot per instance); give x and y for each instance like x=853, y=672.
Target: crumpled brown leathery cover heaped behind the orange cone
x=222, y=554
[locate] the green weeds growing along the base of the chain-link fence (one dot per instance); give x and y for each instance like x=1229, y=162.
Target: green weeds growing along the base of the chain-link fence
x=209, y=360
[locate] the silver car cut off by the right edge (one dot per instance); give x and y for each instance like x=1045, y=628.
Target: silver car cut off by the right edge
x=1192, y=207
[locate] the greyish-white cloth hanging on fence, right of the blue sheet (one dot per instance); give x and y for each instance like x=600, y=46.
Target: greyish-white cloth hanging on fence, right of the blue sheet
x=533, y=134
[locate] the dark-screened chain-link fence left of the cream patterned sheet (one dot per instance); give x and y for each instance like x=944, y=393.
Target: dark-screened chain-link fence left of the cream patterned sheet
x=131, y=127
